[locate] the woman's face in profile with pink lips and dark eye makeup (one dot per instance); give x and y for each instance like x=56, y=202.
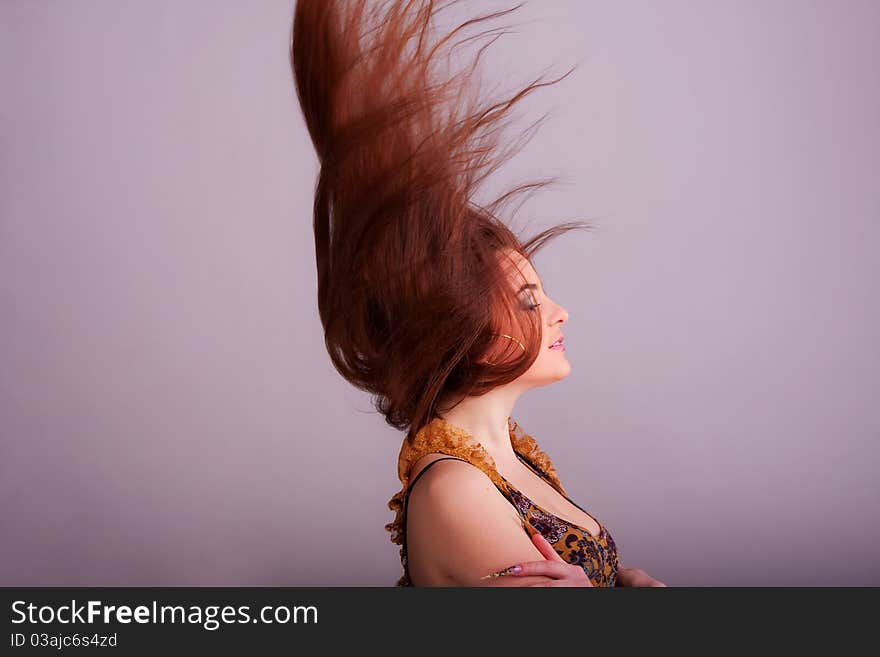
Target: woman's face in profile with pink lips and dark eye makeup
x=551, y=364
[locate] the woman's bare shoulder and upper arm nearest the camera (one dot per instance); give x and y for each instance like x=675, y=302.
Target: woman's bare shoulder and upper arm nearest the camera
x=460, y=527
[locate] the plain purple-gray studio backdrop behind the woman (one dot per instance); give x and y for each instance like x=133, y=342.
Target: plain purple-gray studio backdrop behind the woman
x=169, y=415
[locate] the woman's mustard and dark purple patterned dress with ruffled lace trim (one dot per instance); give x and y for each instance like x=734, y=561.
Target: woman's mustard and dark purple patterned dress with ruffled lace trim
x=597, y=555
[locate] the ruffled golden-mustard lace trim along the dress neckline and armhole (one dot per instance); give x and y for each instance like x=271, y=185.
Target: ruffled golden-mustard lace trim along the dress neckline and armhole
x=439, y=436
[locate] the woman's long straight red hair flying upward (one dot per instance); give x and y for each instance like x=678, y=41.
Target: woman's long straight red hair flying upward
x=411, y=285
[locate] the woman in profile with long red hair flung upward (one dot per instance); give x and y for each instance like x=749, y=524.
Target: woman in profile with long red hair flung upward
x=430, y=302
